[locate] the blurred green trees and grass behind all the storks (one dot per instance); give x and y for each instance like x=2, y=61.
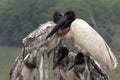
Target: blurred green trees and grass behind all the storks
x=19, y=17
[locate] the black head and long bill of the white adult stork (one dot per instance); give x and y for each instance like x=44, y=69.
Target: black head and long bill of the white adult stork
x=64, y=22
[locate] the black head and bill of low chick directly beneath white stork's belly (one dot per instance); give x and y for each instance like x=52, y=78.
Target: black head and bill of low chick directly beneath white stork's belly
x=79, y=59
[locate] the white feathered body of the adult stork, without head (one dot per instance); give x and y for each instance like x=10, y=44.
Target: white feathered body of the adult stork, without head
x=87, y=40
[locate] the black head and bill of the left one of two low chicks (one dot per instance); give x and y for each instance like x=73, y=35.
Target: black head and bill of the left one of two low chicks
x=62, y=53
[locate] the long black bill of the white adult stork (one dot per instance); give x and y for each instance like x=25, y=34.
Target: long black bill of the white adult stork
x=58, y=26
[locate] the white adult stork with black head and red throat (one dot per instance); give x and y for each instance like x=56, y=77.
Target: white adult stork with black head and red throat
x=86, y=39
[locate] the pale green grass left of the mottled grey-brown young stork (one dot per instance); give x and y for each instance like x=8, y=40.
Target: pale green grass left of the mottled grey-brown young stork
x=7, y=57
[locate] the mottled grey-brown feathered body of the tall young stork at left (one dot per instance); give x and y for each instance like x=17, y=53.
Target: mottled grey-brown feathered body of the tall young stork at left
x=34, y=45
